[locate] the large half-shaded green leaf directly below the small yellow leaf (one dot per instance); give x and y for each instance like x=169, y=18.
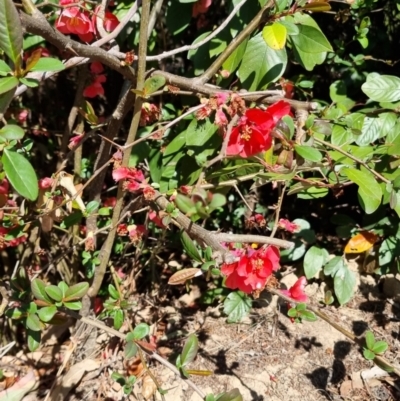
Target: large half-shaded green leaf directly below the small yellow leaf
x=261, y=65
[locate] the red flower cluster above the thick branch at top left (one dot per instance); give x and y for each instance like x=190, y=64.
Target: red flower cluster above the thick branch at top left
x=77, y=21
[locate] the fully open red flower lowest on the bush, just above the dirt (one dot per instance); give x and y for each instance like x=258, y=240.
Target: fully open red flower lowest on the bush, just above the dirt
x=253, y=269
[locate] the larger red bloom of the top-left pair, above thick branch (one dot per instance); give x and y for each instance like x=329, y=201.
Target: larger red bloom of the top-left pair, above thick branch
x=73, y=20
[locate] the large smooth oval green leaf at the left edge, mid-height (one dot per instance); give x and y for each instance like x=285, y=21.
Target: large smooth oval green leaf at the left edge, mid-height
x=21, y=174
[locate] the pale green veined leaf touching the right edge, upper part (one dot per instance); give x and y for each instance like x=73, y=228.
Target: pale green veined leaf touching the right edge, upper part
x=382, y=88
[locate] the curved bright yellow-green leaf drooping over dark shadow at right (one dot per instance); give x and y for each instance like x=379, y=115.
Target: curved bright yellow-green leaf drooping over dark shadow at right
x=369, y=190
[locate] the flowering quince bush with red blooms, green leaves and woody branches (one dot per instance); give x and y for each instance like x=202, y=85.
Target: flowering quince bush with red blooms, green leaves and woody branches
x=237, y=134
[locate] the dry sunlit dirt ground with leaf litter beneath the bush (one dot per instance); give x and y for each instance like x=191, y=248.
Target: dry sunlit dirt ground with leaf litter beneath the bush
x=267, y=357
